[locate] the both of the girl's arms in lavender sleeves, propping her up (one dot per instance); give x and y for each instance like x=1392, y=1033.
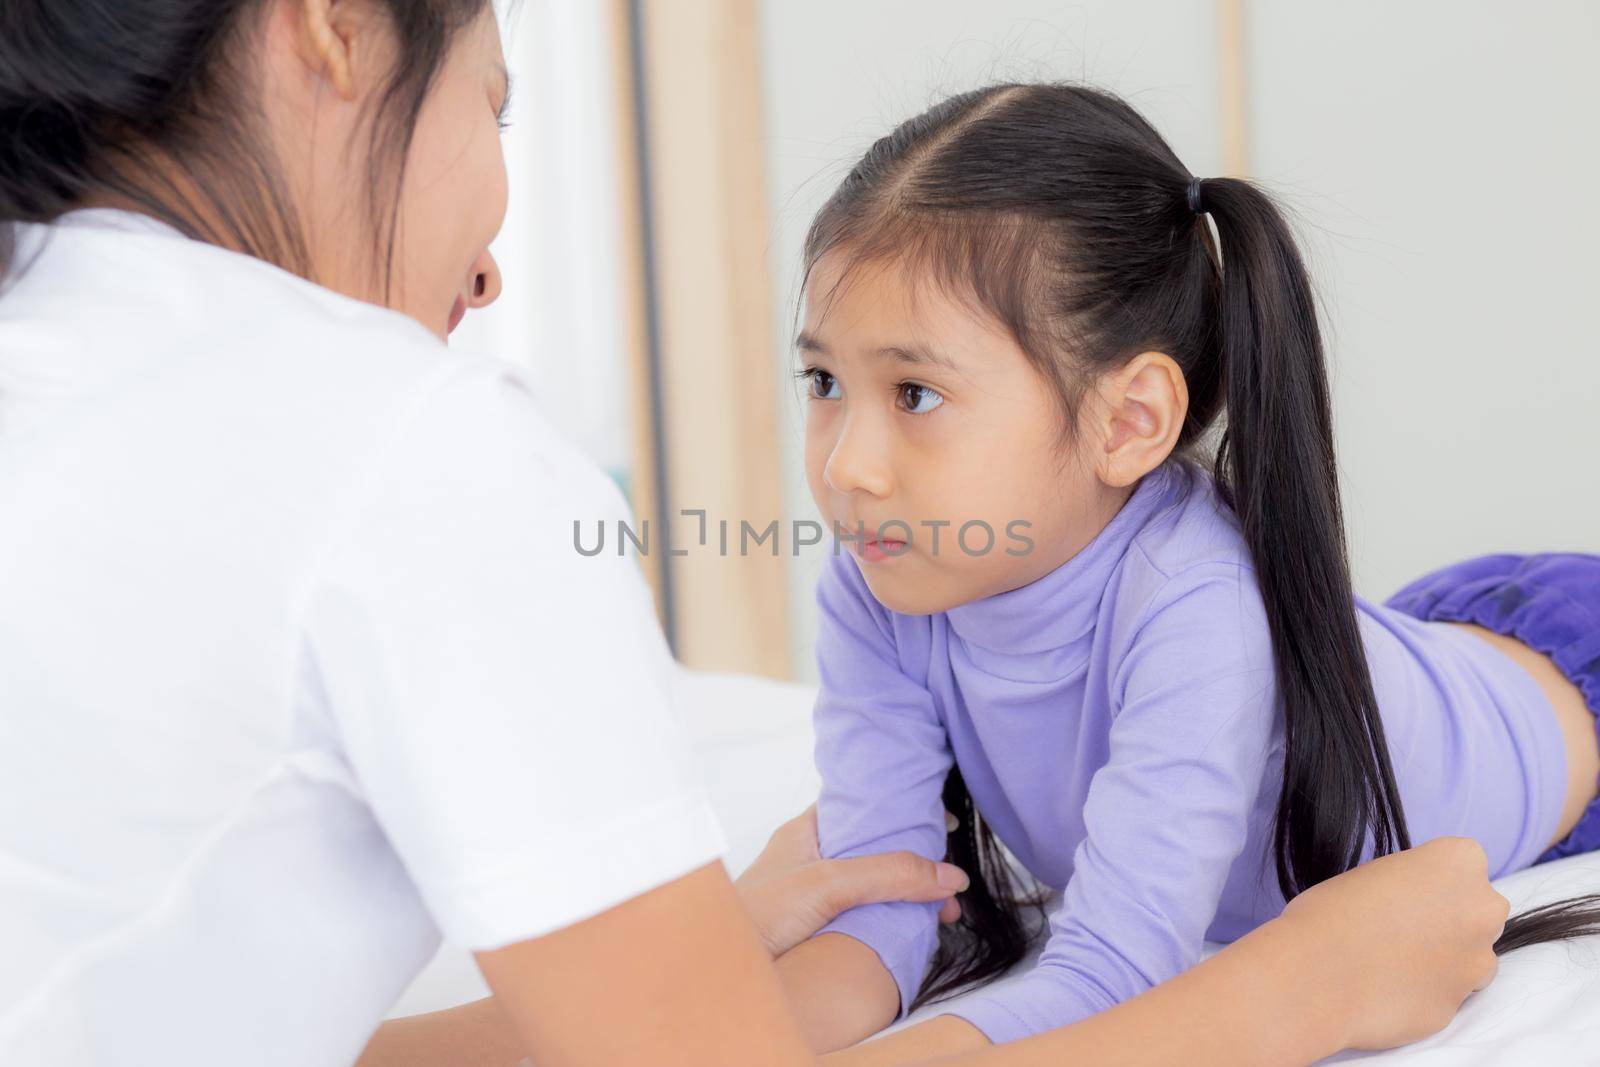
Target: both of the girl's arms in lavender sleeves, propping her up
x=1166, y=817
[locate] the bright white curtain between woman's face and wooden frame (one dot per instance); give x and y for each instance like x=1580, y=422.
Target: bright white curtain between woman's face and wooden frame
x=561, y=252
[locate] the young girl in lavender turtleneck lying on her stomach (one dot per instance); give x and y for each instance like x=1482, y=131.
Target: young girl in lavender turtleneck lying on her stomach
x=1151, y=682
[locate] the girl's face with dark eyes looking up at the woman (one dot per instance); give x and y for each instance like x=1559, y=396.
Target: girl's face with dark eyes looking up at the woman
x=929, y=426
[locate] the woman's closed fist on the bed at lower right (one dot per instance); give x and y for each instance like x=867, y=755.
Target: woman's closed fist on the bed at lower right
x=1406, y=938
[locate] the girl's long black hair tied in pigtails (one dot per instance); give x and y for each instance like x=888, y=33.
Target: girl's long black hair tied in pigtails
x=1063, y=214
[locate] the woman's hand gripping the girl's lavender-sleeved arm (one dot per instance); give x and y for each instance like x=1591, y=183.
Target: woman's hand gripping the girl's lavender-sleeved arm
x=791, y=892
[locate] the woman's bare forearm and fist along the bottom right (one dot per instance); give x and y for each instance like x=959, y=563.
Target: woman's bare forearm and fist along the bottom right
x=1351, y=964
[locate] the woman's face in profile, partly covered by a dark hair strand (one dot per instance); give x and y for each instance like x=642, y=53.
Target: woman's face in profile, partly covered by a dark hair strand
x=332, y=63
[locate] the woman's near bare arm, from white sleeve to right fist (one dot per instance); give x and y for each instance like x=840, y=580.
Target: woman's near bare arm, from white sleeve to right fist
x=678, y=978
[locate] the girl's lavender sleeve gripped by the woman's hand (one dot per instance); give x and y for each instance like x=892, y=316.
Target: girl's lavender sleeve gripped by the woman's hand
x=882, y=756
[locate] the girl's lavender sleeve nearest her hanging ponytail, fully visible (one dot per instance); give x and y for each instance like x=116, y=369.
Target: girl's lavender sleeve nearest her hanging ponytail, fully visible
x=1166, y=817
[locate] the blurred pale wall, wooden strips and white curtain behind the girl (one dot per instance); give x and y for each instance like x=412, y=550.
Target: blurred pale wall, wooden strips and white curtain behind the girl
x=1441, y=159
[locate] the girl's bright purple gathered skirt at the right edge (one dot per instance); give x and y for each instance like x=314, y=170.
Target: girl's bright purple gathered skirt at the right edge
x=1550, y=602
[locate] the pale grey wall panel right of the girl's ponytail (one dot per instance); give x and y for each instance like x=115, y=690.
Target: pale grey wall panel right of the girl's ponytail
x=1447, y=162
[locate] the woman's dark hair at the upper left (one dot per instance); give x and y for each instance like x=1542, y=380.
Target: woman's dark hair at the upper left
x=154, y=102
